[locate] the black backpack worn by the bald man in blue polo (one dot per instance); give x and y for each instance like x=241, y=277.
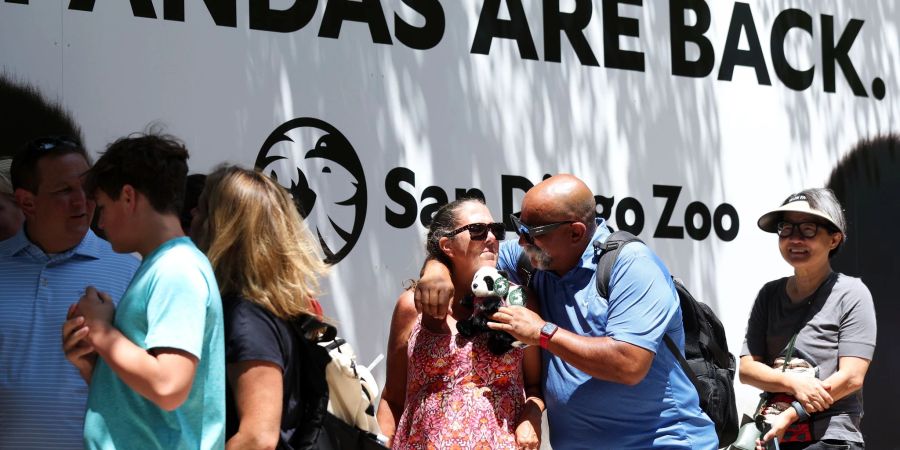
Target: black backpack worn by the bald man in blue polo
x=706, y=362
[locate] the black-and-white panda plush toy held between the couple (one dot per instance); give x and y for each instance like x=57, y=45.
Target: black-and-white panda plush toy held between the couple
x=490, y=290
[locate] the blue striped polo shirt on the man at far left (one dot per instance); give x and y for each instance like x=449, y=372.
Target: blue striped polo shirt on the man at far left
x=42, y=396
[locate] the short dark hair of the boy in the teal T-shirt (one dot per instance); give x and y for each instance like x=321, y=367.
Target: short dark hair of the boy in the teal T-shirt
x=153, y=164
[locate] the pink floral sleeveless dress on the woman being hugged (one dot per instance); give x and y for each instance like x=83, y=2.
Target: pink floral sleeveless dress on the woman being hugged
x=459, y=395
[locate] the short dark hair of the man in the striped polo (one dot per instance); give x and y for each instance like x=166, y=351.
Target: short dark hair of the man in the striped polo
x=24, y=173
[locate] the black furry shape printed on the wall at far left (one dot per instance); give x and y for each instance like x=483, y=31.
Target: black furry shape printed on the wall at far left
x=27, y=115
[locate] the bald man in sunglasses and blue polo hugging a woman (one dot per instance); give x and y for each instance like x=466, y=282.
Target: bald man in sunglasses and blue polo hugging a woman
x=608, y=379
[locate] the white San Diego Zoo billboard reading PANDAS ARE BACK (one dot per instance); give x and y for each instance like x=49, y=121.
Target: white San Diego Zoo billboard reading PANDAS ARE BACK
x=688, y=118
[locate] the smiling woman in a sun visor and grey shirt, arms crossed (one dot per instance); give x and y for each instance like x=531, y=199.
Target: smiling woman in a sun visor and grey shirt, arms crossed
x=811, y=336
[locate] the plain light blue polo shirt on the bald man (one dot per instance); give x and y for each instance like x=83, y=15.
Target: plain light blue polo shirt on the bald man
x=662, y=411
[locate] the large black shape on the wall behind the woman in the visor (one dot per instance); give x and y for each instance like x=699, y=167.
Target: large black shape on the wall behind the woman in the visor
x=867, y=182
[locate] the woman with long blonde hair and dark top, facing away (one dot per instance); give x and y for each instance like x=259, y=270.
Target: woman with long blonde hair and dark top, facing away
x=267, y=265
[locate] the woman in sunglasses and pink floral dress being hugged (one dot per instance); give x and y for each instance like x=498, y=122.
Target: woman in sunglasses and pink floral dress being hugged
x=444, y=390
